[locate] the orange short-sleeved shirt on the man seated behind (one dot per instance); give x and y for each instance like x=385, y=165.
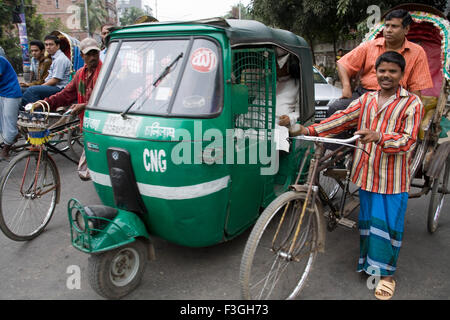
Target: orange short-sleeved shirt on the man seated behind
x=417, y=73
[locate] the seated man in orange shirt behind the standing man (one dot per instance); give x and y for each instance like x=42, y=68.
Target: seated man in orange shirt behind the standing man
x=362, y=60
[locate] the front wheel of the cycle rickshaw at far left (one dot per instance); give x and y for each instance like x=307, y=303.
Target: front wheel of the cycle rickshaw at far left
x=28, y=195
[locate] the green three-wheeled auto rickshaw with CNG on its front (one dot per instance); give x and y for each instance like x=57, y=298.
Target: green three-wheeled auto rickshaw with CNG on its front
x=178, y=138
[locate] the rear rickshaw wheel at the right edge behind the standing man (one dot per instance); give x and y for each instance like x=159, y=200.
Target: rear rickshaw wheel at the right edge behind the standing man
x=439, y=186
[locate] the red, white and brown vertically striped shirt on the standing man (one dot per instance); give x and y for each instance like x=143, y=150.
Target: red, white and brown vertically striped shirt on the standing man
x=386, y=169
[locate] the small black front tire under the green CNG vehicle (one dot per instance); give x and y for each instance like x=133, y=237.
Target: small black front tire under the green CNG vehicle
x=114, y=274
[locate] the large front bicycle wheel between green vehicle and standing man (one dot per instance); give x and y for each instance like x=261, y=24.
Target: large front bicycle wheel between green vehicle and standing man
x=269, y=269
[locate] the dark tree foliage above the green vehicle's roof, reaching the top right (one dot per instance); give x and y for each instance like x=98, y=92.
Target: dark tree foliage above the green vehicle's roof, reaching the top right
x=325, y=20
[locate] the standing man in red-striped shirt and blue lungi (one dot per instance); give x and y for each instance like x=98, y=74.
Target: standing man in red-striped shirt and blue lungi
x=388, y=121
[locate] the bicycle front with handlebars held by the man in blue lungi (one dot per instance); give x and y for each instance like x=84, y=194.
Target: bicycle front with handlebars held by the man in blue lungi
x=284, y=242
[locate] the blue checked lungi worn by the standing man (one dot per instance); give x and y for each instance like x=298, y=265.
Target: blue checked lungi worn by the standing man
x=381, y=224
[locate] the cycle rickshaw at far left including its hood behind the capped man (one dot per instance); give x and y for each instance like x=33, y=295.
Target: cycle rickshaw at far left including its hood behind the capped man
x=30, y=183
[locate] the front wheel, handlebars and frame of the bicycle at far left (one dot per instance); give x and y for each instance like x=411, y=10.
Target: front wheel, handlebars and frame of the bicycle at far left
x=30, y=185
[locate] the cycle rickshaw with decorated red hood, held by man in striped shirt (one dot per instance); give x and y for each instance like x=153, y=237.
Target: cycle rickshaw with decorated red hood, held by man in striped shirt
x=282, y=246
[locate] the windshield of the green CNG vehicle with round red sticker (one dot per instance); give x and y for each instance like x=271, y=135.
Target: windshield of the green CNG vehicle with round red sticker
x=192, y=86
